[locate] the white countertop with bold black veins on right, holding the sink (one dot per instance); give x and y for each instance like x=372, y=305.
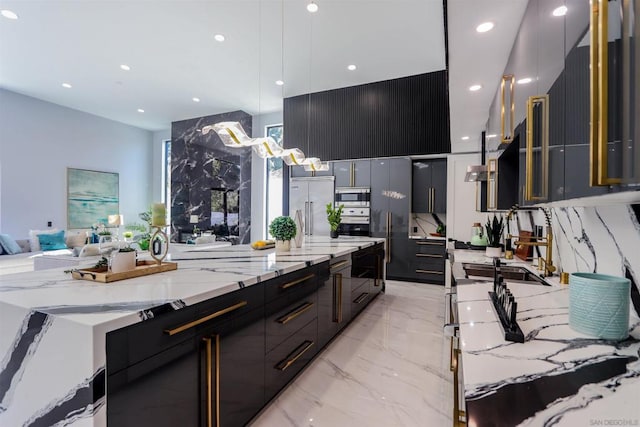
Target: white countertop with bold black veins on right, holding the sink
x=557, y=376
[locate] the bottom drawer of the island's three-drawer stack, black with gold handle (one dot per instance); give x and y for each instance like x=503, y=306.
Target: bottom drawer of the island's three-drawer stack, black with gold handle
x=287, y=359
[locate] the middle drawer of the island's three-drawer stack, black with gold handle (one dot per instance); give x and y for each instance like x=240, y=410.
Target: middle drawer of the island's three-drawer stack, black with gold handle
x=282, y=322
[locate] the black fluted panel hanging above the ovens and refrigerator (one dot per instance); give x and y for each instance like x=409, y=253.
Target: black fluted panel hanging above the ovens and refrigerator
x=399, y=117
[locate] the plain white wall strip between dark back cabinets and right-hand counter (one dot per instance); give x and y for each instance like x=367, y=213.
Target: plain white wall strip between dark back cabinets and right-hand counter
x=461, y=197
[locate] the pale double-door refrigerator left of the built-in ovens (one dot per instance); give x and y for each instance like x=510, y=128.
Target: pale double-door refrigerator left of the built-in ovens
x=310, y=196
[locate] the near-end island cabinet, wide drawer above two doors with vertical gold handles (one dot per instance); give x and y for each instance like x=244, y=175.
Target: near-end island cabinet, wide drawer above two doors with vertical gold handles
x=177, y=369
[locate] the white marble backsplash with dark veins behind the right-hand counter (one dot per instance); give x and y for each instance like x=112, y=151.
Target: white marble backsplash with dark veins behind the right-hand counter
x=597, y=239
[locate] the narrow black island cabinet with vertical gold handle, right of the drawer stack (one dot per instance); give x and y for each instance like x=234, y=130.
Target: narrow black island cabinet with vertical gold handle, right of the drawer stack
x=334, y=305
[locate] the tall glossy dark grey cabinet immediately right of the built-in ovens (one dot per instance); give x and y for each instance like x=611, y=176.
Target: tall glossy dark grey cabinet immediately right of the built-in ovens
x=390, y=206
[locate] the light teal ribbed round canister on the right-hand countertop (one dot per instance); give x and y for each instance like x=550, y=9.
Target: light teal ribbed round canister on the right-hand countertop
x=599, y=305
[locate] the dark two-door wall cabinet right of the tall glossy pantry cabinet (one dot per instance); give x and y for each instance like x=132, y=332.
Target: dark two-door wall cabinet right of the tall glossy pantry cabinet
x=429, y=189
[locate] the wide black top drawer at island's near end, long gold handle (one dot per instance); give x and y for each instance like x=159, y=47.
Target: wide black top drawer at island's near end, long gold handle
x=147, y=338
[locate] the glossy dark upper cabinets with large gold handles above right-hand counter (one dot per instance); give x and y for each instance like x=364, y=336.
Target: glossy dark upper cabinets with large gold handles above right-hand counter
x=576, y=101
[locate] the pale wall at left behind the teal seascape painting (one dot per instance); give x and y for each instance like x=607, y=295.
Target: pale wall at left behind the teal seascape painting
x=39, y=140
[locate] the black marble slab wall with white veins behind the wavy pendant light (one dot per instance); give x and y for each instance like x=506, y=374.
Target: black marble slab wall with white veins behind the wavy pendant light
x=193, y=156
